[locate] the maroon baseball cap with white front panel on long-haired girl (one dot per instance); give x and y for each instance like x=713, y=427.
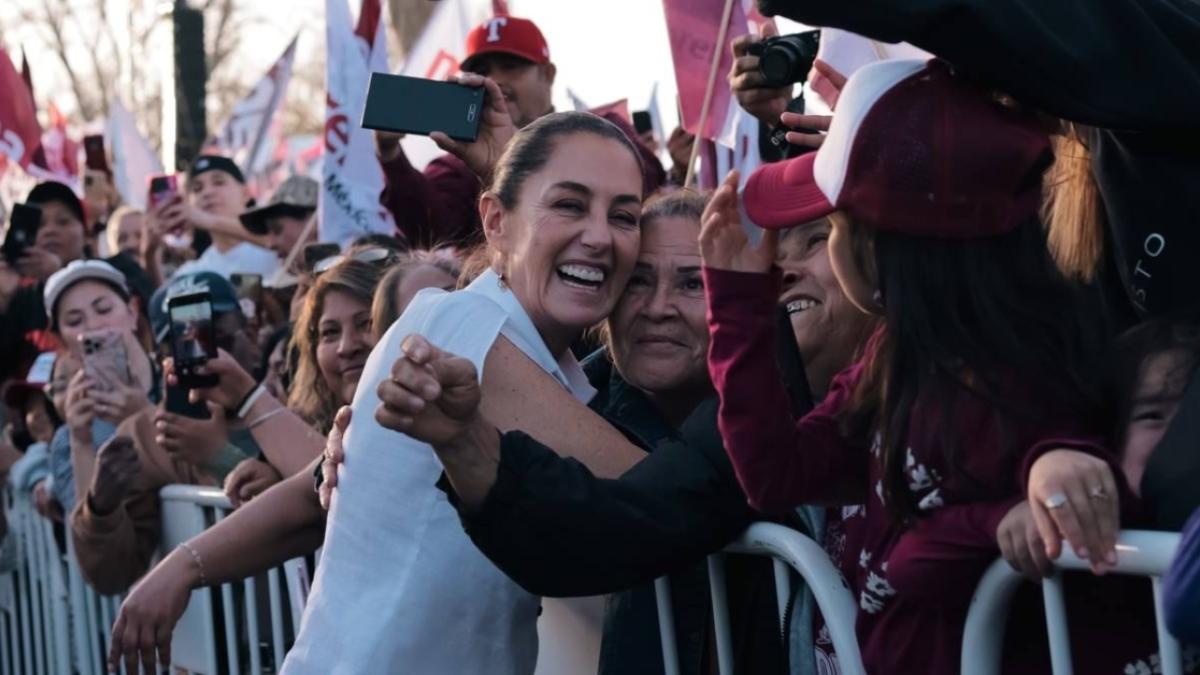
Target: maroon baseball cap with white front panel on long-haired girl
x=914, y=148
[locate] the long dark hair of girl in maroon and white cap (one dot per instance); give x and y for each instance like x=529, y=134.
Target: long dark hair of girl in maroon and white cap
x=991, y=318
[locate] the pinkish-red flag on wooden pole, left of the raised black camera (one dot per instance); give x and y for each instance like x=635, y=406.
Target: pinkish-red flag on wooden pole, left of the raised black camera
x=694, y=27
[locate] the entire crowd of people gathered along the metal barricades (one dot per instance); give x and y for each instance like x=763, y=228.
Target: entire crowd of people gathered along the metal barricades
x=961, y=321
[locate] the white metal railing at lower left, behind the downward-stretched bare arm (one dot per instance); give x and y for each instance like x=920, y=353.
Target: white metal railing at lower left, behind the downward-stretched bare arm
x=52, y=623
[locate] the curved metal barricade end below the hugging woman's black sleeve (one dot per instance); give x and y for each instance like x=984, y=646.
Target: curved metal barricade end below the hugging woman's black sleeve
x=790, y=549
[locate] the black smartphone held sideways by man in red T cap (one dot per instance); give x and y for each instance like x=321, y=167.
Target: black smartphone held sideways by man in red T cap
x=411, y=105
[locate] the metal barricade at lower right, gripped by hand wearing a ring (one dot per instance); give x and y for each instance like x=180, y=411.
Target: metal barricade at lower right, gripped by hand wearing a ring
x=1139, y=553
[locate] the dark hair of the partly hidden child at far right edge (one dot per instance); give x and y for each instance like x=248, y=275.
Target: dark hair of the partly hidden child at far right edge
x=1177, y=332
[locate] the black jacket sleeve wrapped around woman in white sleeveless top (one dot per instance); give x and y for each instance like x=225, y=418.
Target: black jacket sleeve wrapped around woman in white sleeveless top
x=560, y=531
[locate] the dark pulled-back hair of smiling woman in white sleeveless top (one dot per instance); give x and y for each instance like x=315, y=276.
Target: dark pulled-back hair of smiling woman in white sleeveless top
x=532, y=147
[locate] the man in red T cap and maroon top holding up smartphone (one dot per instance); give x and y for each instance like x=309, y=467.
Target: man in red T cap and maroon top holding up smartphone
x=439, y=206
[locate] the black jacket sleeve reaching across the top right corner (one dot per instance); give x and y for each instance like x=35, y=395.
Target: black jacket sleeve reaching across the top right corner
x=1118, y=64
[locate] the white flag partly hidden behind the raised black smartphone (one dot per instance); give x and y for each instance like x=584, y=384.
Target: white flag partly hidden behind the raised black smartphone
x=436, y=56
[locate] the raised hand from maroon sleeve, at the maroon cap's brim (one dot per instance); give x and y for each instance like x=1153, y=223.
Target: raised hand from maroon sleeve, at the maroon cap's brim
x=724, y=243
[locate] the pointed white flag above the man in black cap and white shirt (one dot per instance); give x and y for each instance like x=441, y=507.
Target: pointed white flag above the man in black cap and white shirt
x=245, y=133
